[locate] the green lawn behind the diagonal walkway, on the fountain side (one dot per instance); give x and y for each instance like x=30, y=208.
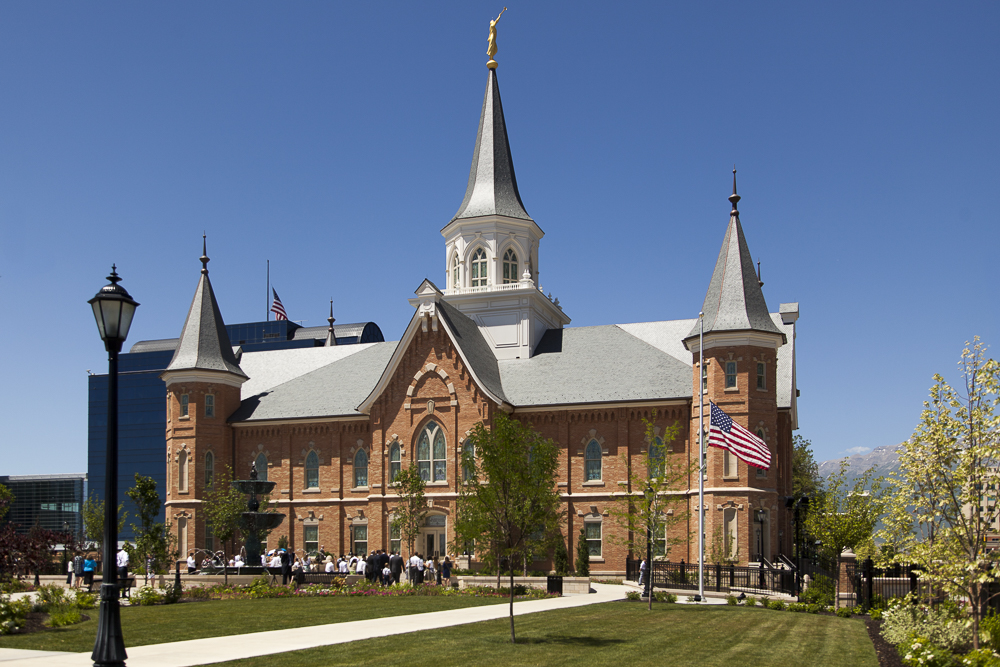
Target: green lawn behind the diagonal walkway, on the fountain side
x=196, y=620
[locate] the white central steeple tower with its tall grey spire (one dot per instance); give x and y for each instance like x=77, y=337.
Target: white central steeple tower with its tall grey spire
x=491, y=244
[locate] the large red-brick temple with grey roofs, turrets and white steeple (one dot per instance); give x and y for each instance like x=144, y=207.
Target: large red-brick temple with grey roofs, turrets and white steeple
x=332, y=424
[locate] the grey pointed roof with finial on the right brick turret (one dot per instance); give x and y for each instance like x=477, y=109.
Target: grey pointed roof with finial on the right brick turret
x=734, y=301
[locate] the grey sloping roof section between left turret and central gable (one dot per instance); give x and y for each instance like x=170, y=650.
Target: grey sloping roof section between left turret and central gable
x=333, y=390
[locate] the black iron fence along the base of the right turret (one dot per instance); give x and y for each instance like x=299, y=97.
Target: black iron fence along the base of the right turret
x=727, y=578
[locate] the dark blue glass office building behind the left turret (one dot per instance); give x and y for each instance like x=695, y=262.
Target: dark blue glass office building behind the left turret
x=142, y=415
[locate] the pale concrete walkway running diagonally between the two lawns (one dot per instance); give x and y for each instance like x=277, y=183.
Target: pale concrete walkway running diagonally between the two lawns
x=233, y=647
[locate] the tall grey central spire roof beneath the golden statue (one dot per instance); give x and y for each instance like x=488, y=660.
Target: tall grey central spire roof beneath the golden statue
x=492, y=188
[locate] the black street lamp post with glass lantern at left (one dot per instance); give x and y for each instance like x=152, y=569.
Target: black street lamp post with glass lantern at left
x=113, y=311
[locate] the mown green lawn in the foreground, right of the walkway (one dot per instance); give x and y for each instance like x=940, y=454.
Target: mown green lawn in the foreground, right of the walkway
x=616, y=634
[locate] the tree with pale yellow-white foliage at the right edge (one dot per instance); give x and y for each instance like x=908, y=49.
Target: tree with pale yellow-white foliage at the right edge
x=944, y=495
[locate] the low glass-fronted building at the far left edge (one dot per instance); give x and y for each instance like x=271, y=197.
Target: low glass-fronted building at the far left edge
x=52, y=502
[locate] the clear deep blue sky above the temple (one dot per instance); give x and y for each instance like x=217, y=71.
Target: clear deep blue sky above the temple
x=334, y=139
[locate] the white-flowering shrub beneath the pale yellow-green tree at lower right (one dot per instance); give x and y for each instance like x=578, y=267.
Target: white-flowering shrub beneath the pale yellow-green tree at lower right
x=945, y=626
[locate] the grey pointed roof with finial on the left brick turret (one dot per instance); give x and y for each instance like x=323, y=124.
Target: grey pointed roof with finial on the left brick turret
x=204, y=343
